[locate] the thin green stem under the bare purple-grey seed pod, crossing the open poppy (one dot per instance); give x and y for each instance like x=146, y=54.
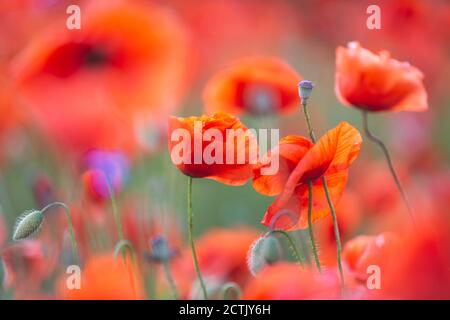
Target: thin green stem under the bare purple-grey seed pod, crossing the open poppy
x=330, y=203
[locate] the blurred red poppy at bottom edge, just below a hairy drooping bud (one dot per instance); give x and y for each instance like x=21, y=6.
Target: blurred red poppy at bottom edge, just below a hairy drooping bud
x=285, y=281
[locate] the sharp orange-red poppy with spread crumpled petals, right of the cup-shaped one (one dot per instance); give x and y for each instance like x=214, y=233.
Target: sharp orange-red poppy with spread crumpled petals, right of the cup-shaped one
x=301, y=162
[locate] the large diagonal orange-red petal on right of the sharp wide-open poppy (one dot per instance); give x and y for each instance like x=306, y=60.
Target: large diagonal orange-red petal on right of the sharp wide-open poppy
x=330, y=156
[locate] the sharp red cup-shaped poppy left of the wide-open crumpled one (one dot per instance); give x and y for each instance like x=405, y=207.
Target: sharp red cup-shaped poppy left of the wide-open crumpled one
x=217, y=147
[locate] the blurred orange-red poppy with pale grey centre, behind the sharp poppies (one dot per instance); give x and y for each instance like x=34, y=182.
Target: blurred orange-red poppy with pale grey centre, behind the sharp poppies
x=259, y=85
